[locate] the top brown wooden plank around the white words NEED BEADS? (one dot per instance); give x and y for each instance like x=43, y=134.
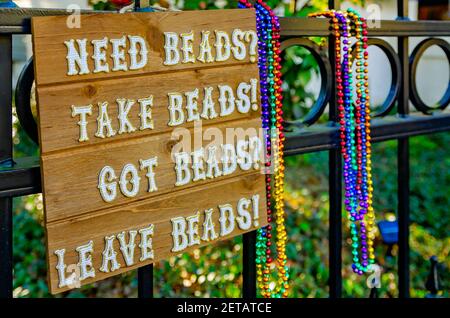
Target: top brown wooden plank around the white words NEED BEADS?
x=51, y=32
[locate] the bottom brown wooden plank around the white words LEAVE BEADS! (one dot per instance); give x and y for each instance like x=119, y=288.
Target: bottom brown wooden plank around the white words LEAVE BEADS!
x=72, y=233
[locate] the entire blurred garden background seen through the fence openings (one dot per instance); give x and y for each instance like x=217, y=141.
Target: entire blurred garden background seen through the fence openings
x=215, y=271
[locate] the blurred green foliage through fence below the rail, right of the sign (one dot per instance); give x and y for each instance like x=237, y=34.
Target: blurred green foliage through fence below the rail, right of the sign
x=430, y=221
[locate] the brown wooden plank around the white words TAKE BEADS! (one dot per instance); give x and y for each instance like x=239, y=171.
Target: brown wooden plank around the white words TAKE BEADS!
x=59, y=130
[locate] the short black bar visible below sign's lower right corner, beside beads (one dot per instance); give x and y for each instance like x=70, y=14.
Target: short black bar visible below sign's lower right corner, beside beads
x=249, y=265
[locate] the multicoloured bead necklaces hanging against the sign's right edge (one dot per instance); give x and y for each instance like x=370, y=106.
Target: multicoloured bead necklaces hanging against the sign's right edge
x=268, y=30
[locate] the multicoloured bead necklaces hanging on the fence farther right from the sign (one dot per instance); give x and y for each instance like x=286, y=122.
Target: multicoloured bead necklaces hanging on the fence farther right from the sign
x=354, y=130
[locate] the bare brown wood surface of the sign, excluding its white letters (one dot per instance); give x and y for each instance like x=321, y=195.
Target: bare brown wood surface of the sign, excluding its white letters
x=75, y=212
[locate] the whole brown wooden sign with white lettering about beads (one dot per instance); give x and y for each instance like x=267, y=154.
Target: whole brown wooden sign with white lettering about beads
x=150, y=136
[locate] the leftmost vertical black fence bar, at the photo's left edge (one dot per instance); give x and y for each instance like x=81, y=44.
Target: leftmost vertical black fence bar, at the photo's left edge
x=6, y=153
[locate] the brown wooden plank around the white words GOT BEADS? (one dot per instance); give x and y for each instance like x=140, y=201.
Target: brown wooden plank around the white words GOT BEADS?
x=72, y=177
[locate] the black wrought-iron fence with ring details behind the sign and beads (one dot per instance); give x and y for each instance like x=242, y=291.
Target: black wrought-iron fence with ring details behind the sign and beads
x=19, y=177
